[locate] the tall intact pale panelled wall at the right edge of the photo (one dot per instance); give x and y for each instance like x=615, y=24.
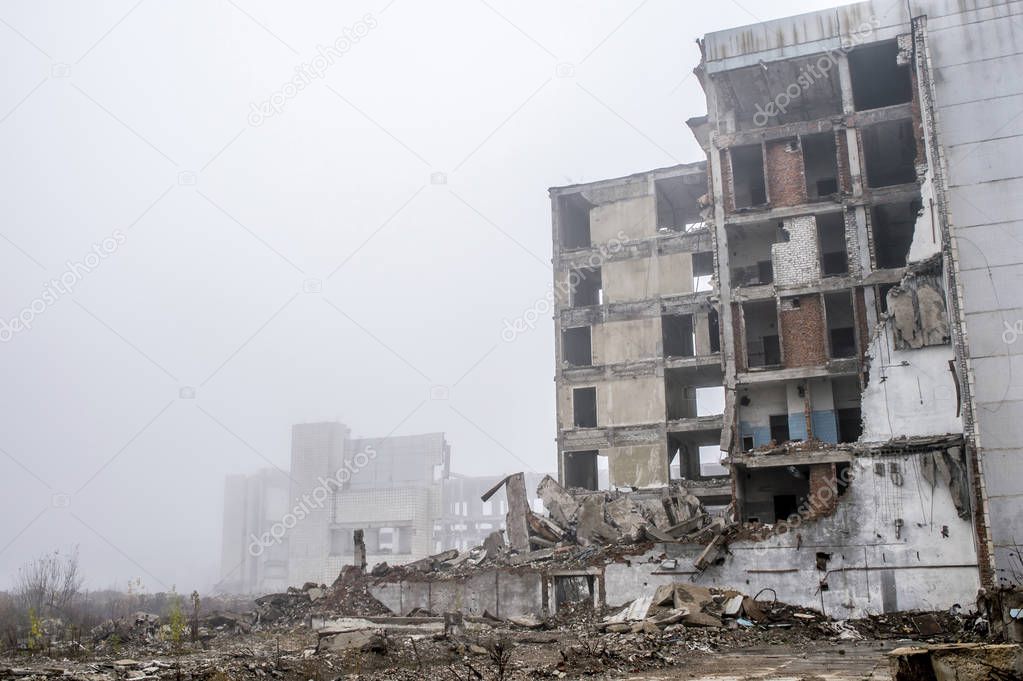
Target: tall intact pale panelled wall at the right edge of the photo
x=977, y=60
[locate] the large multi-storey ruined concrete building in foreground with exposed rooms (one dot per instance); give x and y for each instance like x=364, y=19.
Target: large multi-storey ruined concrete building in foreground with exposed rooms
x=830, y=301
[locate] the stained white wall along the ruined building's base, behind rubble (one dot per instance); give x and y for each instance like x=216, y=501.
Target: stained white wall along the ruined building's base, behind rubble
x=929, y=572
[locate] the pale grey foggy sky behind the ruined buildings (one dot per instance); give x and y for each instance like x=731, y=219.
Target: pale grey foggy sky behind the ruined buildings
x=193, y=273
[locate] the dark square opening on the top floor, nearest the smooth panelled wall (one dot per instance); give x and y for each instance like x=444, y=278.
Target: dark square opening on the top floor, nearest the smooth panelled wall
x=878, y=79
